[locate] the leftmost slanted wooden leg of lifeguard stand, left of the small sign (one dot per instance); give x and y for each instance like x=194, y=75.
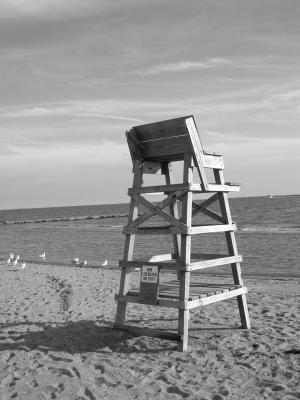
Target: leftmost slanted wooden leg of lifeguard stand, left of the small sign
x=129, y=246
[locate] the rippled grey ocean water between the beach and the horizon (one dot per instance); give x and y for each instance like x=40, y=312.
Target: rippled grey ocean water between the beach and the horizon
x=268, y=235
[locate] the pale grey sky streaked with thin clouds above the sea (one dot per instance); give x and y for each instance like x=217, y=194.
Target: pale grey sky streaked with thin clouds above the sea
x=75, y=75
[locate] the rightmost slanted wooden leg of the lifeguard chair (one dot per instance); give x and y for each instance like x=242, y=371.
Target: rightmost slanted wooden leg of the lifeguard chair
x=232, y=248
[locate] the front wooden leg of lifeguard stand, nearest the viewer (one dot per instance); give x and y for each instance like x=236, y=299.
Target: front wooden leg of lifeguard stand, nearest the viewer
x=185, y=255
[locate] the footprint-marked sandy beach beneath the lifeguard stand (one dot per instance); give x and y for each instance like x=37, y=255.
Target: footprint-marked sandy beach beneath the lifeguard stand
x=57, y=342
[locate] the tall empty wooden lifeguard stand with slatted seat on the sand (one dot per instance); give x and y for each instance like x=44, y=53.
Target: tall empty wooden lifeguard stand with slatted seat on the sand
x=153, y=147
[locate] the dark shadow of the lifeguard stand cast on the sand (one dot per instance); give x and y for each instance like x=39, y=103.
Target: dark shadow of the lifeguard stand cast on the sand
x=75, y=337
